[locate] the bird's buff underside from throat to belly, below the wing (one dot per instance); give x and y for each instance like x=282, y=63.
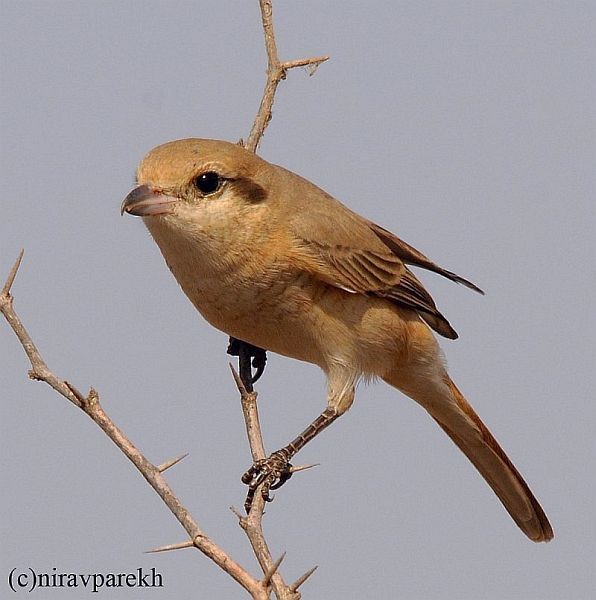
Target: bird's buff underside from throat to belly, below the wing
x=291, y=313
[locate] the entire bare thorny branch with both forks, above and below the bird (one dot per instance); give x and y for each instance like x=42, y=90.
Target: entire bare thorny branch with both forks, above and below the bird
x=90, y=404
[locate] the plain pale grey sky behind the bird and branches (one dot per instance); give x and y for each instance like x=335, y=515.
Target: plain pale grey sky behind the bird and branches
x=467, y=128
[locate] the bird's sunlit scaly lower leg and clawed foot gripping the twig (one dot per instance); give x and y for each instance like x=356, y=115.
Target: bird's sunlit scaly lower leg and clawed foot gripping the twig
x=272, y=472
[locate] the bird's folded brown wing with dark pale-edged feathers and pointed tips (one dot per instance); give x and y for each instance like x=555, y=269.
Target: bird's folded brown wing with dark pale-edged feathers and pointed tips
x=358, y=256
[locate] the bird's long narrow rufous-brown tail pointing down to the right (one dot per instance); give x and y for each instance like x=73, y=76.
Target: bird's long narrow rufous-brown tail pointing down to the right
x=464, y=427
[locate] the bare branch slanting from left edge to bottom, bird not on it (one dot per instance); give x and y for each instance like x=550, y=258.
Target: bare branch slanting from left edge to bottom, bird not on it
x=90, y=404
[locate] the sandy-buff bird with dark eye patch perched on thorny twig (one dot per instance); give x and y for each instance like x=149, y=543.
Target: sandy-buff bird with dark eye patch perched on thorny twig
x=271, y=259
